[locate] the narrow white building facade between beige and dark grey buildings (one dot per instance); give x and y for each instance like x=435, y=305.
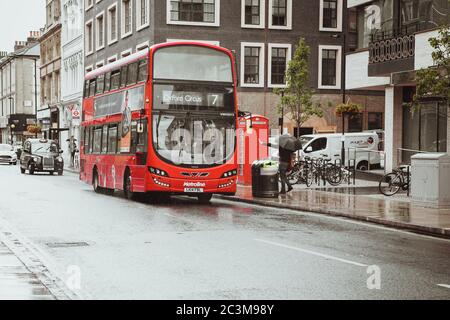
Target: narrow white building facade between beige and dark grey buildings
x=72, y=72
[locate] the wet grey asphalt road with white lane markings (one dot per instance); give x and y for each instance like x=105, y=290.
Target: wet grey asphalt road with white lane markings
x=181, y=250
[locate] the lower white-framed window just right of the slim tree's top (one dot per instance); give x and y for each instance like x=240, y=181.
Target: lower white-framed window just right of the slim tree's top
x=329, y=67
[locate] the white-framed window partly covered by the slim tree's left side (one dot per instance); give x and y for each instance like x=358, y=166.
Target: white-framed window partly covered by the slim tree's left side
x=279, y=57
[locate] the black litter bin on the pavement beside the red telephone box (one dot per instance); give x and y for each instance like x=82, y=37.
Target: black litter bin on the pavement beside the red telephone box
x=265, y=179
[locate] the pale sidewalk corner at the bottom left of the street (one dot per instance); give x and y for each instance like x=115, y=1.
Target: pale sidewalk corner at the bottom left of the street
x=17, y=282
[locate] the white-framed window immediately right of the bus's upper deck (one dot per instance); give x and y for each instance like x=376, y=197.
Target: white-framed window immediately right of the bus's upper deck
x=252, y=64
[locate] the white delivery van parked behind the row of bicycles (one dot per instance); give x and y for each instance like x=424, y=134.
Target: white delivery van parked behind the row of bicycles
x=362, y=146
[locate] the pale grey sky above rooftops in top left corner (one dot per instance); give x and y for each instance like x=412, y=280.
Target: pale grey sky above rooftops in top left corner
x=17, y=18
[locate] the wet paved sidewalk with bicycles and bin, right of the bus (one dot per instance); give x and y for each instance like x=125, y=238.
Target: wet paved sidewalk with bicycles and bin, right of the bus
x=360, y=203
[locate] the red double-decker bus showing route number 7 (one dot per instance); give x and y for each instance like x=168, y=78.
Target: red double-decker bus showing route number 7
x=162, y=120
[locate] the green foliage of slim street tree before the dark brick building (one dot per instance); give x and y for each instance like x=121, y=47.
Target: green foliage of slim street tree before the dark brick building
x=296, y=98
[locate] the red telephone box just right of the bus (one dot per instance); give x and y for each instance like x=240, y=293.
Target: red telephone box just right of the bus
x=252, y=130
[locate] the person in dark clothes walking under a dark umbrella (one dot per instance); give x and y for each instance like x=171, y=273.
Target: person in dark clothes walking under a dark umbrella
x=287, y=146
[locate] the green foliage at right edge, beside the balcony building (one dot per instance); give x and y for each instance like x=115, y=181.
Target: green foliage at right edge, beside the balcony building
x=435, y=81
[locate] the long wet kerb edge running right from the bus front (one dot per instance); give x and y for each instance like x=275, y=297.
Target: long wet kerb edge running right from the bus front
x=431, y=231
